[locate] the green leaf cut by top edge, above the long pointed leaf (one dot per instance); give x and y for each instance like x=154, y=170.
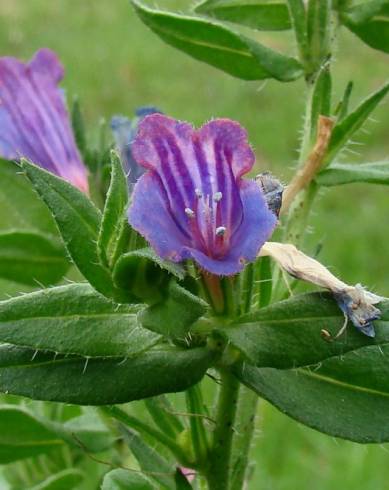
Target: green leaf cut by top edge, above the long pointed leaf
x=259, y=14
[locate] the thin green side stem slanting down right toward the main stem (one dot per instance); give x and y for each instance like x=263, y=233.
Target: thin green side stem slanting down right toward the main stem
x=142, y=427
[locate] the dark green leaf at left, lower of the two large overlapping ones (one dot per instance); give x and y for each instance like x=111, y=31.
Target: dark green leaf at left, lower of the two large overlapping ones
x=97, y=381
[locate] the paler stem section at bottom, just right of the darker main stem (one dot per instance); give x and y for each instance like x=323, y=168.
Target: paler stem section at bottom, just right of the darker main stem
x=245, y=426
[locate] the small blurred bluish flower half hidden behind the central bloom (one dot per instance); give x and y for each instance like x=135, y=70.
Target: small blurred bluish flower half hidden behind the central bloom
x=124, y=131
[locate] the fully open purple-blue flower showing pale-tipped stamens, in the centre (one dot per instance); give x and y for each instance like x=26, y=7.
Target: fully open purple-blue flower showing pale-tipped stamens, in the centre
x=193, y=203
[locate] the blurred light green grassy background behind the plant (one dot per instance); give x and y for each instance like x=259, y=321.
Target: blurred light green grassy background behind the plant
x=115, y=64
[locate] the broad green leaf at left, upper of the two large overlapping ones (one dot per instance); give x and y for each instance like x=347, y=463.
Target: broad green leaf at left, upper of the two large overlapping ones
x=73, y=319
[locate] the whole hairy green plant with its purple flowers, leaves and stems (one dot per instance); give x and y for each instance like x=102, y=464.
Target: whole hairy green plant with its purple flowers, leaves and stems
x=180, y=262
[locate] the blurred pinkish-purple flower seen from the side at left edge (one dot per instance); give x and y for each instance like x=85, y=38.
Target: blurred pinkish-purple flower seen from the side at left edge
x=34, y=122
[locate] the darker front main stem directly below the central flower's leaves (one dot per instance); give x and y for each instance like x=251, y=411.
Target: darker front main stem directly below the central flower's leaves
x=219, y=468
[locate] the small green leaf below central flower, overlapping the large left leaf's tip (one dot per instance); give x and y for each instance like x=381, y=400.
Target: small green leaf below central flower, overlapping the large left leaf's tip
x=173, y=316
